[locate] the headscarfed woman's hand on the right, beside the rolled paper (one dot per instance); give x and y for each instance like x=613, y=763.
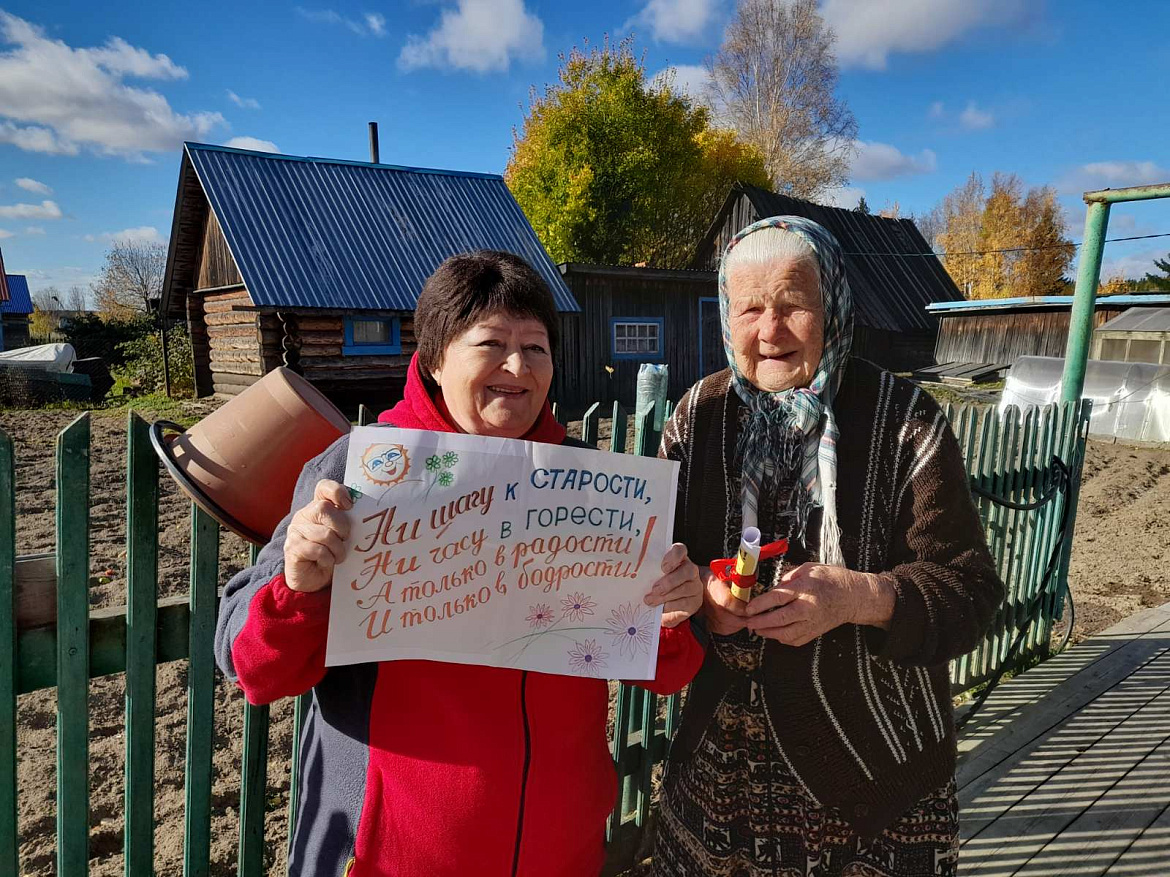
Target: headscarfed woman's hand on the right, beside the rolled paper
x=813, y=599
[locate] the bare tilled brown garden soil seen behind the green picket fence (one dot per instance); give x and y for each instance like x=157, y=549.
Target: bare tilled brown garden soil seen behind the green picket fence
x=1121, y=563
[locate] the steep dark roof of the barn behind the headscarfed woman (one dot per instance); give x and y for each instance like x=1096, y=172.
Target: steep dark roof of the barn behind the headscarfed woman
x=891, y=279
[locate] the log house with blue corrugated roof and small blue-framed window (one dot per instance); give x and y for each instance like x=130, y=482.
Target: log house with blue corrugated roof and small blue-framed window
x=318, y=264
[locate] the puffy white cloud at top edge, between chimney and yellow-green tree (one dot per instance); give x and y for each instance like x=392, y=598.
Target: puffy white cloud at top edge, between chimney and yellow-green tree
x=479, y=36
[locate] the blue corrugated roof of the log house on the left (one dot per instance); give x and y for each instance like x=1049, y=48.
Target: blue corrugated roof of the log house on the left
x=324, y=233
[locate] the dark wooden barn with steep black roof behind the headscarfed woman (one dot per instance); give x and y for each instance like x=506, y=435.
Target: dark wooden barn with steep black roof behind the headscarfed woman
x=891, y=279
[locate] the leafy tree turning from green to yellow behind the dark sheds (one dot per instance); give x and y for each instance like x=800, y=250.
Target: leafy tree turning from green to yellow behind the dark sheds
x=617, y=168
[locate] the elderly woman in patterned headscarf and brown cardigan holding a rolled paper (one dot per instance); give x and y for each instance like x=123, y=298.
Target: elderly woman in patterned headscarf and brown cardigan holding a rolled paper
x=817, y=741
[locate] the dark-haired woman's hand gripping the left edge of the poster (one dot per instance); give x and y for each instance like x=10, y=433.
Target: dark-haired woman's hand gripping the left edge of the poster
x=316, y=538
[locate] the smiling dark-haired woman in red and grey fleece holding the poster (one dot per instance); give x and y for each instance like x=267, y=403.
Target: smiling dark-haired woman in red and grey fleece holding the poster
x=415, y=768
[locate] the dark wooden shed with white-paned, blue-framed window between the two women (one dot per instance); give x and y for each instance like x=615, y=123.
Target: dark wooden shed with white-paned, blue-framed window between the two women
x=630, y=316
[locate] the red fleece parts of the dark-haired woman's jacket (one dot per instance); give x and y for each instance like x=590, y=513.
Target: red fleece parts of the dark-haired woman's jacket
x=472, y=770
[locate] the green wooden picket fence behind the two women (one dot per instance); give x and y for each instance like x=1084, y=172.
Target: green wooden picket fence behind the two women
x=1010, y=455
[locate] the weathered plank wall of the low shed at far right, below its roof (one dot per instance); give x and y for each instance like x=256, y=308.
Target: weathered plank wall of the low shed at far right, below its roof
x=1007, y=336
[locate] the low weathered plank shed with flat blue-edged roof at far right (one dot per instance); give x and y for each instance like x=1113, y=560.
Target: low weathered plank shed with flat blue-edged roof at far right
x=1001, y=330
